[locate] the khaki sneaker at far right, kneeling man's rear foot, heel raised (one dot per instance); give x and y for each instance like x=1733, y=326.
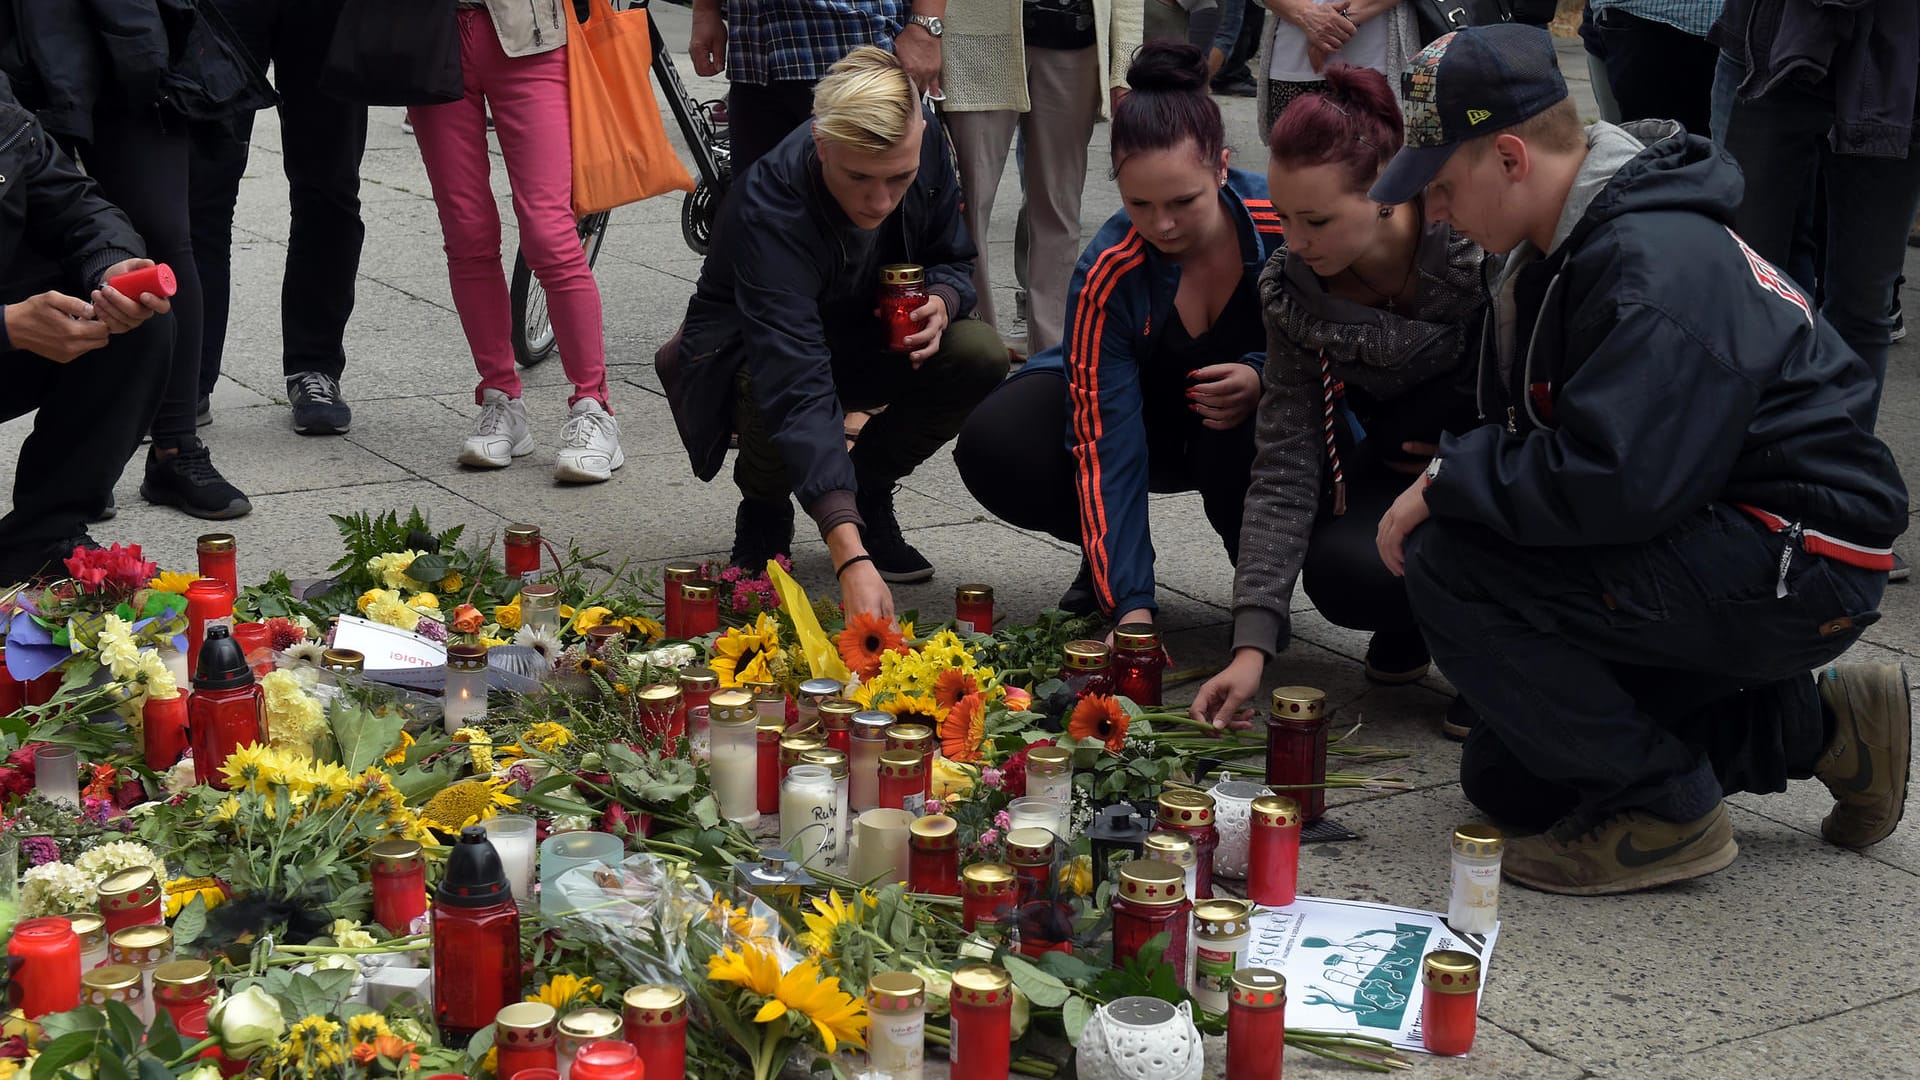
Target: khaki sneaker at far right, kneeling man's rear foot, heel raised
x=1869, y=758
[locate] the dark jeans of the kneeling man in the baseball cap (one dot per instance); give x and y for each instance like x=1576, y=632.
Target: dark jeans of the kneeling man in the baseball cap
x=1635, y=677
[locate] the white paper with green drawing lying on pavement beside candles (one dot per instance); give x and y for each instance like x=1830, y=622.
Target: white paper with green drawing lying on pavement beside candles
x=1356, y=968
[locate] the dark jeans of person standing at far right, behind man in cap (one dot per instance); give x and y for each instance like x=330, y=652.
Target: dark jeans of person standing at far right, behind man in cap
x=1781, y=143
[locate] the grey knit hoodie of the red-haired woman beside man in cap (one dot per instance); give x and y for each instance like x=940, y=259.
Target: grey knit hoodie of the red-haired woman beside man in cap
x=1381, y=353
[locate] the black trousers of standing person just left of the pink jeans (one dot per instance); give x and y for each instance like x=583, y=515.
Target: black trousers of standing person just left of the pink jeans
x=322, y=143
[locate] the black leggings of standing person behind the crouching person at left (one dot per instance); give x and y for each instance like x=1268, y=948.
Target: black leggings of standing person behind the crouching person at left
x=141, y=168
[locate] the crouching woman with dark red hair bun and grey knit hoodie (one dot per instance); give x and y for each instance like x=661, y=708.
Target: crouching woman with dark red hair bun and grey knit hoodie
x=1368, y=312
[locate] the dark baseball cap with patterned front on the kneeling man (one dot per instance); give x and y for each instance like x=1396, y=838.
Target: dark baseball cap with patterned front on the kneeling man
x=1464, y=86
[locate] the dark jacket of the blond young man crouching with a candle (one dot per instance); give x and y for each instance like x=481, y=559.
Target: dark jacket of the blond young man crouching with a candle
x=782, y=295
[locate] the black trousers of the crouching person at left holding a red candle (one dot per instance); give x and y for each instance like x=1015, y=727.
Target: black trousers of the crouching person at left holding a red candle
x=93, y=414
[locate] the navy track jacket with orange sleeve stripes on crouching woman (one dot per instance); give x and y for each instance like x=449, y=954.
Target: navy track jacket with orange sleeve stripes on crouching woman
x=1120, y=301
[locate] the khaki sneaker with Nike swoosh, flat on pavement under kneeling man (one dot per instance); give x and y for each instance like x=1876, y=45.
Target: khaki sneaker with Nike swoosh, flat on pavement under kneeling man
x=1625, y=852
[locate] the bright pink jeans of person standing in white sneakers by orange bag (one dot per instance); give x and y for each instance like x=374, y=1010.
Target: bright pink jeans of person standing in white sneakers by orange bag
x=529, y=101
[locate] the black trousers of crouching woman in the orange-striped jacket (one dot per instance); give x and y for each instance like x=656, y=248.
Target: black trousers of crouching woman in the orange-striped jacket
x=1013, y=454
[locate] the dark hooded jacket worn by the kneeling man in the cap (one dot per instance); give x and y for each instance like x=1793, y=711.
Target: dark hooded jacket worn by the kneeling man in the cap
x=1658, y=364
